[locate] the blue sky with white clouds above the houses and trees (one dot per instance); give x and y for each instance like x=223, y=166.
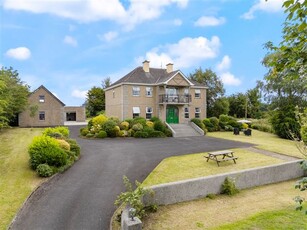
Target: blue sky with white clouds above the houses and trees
x=70, y=46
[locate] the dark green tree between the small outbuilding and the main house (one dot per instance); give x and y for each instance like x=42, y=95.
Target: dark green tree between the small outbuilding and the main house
x=95, y=101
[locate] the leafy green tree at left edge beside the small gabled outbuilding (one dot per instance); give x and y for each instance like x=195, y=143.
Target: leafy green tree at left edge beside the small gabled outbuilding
x=13, y=95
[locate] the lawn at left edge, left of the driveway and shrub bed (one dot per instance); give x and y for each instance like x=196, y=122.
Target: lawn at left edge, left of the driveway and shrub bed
x=17, y=180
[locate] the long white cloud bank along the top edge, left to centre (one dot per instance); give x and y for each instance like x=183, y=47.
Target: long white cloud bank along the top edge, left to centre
x=94, y=10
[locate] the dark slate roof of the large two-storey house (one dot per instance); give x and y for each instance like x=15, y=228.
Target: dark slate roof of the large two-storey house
x=155, y=76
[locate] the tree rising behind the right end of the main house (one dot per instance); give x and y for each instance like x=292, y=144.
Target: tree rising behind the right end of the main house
x=215, y=87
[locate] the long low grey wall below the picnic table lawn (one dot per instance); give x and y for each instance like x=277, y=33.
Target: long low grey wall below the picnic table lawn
x=192, y=189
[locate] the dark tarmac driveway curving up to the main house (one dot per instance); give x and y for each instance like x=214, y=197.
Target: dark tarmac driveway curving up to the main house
x=83, y=197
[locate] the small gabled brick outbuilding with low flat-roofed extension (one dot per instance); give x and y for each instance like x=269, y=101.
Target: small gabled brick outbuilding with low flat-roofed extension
x=49, y=110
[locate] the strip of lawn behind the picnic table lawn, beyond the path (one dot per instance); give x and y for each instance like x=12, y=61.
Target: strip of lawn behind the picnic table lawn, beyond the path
x=263, y=140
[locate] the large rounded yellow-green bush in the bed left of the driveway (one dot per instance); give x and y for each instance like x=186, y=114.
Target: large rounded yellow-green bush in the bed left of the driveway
x=45, y=149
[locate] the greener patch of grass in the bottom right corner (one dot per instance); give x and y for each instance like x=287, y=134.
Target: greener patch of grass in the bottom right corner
x=287, y=219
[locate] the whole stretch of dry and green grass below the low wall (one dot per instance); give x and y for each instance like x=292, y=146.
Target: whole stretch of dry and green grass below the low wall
x=266, y=207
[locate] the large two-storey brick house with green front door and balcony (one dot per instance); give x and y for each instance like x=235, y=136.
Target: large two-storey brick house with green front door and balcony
x=152, y=92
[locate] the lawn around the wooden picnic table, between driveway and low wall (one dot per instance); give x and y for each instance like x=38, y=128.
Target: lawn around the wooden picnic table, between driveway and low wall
x=195, y=165
